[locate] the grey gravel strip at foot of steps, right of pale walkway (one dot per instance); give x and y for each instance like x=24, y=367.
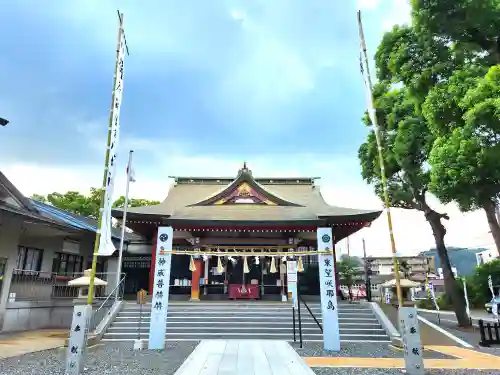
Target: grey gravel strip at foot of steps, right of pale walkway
x=370, y=350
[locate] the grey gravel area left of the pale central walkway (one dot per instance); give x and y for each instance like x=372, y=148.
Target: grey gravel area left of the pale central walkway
x=120, y=358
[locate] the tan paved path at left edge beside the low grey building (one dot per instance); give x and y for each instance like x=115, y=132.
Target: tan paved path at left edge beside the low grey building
x=15, y=344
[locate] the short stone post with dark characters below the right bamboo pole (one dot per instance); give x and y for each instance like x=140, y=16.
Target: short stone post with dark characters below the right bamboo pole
x=413, y=353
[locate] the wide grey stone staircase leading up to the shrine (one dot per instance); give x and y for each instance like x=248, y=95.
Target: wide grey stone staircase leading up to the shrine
x=244, y=320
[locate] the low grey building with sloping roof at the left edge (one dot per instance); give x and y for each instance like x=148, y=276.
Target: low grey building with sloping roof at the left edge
x=41, y=249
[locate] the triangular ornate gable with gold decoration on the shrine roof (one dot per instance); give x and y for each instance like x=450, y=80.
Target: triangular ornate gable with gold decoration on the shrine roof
x=245, y=190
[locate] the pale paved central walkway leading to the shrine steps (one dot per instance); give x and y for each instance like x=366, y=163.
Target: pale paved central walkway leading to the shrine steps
x=244, y=357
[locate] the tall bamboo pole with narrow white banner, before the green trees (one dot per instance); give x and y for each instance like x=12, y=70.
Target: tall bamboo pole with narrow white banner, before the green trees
x=382, y=166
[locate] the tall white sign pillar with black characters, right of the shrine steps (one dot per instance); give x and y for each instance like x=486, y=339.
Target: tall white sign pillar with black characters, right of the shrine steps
x=328, y=290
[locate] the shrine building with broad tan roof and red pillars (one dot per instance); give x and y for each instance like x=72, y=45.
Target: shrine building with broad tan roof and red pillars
x=218, y=214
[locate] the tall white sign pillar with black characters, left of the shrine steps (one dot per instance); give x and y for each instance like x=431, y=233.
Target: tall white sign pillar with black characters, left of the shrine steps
x=159, y=305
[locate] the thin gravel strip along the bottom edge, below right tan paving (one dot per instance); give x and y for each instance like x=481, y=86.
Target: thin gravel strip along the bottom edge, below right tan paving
x=379, y=371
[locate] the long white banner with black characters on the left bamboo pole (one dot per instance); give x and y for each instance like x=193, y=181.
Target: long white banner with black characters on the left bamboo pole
x=106, y=247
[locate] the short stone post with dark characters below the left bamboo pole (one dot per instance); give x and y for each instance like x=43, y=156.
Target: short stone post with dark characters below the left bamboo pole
x=78, y=339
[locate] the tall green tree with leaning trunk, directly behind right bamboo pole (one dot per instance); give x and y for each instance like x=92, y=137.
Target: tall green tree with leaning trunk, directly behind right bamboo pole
x=416, y=64
